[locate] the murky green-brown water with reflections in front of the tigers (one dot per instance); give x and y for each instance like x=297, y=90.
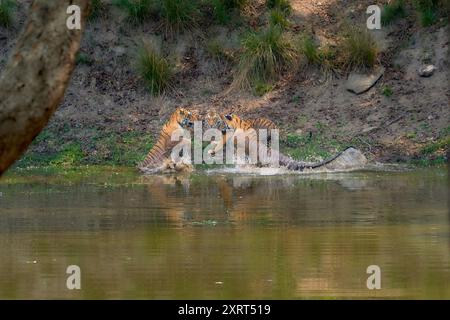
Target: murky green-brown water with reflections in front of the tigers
x=223, y=235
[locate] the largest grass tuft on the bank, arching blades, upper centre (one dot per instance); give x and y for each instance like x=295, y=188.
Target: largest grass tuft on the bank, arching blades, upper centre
x=264, y=54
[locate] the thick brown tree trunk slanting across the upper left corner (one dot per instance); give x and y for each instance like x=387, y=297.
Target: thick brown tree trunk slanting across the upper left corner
x=35, y=78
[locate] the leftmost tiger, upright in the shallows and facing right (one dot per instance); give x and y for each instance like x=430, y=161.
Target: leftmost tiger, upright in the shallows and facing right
x=158, y=159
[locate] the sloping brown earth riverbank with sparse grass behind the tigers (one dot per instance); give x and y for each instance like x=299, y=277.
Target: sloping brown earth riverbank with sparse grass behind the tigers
x=109, y=117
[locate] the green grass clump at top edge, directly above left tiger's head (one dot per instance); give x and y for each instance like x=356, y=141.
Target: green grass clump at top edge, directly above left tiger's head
x=178, y=15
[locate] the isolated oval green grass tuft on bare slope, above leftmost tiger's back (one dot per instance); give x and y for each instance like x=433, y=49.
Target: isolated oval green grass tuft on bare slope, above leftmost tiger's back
x=154, y=69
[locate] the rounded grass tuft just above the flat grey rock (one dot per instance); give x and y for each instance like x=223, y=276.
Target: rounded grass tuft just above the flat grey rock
x=359, y=49
